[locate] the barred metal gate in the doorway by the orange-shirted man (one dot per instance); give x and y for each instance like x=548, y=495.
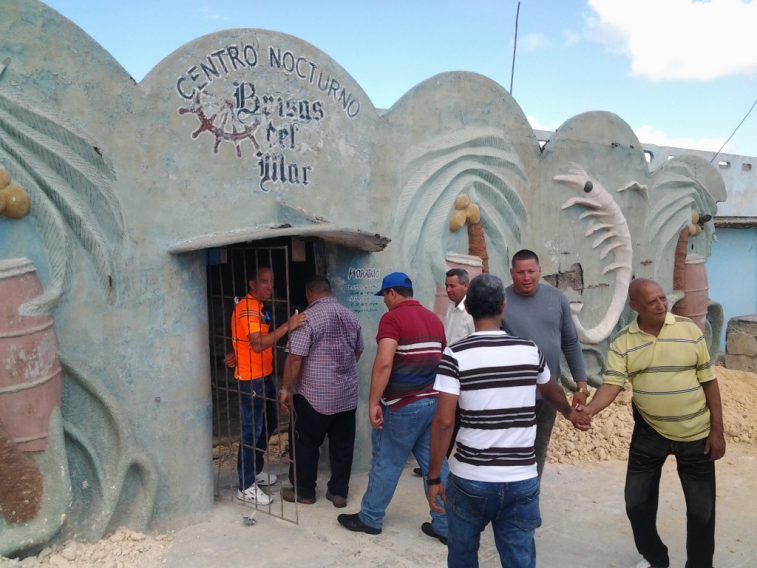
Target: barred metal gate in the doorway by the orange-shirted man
x=229, y=269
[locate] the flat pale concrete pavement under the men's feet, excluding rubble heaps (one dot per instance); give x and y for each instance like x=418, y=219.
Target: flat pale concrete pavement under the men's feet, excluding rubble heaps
x=584, y=525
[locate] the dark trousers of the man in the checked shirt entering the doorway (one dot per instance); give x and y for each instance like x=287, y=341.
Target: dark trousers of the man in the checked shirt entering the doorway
x=306, y=437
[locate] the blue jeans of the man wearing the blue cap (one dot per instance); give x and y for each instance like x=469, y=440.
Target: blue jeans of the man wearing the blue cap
x=405, y=430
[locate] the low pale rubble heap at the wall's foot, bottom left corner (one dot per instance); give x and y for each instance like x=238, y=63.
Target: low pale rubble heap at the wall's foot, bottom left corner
x=122, y=549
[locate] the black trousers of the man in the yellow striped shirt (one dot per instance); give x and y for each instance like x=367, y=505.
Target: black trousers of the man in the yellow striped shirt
x=647, y=454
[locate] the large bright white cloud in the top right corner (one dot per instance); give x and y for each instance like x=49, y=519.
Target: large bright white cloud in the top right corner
x=679, y=39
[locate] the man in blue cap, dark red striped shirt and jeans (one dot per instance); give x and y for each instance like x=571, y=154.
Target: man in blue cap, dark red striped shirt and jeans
x=402, y=403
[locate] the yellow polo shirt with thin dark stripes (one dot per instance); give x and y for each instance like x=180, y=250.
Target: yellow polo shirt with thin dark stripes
x=666, y=373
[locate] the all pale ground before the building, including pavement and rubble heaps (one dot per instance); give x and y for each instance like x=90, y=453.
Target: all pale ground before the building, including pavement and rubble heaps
x=583, y=517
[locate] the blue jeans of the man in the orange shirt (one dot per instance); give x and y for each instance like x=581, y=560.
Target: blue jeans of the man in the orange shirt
x=257, y=412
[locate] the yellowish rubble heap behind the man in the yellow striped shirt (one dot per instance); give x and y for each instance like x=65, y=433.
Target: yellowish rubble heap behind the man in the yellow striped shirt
x=611, y=430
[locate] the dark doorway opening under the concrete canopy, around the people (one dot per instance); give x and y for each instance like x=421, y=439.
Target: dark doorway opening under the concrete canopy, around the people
x=293, y=261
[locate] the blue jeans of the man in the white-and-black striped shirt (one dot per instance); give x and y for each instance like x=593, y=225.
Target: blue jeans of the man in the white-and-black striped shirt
x=512, y=509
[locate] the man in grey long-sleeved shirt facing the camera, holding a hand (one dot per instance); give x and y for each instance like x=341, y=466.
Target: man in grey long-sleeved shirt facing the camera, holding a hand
x=541, y=313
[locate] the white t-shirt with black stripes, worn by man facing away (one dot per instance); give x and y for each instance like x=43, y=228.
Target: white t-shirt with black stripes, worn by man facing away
x=494, y=376
